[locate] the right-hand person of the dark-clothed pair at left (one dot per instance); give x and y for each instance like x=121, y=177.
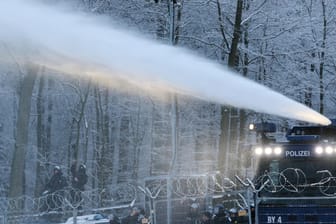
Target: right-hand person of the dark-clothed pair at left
x=78, y=181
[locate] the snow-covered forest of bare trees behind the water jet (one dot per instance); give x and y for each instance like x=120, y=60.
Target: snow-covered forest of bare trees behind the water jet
x=128, y=136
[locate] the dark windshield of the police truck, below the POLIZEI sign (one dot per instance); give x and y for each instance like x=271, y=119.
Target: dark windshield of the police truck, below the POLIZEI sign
x=300, y=177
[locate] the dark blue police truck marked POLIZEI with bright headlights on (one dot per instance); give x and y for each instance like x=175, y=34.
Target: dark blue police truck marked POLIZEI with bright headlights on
x=295, y=180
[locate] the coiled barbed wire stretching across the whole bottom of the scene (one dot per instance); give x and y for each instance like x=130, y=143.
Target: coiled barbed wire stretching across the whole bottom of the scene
x=155, y=190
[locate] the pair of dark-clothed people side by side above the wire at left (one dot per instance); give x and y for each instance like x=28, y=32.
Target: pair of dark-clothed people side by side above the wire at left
x=54, y=188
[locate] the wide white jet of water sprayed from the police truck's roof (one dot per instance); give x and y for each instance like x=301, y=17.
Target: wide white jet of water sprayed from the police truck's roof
x=80, y=44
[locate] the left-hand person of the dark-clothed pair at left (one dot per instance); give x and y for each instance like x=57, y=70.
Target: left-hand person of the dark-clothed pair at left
x=54, y=189
